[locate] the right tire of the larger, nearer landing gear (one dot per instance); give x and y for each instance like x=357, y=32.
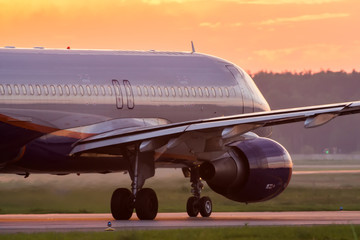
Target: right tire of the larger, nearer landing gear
x=146, y=204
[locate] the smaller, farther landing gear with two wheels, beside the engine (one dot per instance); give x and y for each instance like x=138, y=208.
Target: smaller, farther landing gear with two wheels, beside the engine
x=195, y=204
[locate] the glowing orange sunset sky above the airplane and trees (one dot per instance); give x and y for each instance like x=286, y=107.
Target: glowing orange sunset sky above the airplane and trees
x=257, y=35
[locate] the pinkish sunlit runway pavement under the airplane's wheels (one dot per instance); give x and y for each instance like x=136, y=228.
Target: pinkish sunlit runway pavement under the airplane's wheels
x=98, y=222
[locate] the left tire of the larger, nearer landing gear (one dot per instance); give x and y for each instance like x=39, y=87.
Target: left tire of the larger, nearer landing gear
x=122, y=204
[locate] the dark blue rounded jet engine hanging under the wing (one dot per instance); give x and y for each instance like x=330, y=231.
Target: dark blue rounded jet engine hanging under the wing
x=254, y=170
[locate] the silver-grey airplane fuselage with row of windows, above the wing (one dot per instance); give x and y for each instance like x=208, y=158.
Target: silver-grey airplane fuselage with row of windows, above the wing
x=50, y=96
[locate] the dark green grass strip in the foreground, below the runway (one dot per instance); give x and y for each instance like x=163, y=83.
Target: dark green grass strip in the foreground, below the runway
x=341, y=232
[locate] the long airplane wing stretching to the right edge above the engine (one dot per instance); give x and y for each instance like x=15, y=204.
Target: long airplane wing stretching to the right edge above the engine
x=150, y=138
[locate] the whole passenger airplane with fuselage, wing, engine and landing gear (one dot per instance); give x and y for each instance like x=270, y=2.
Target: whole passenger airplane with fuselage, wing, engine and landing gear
x=105, y=111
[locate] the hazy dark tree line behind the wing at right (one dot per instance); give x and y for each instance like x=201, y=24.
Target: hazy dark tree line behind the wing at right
x=287, y=90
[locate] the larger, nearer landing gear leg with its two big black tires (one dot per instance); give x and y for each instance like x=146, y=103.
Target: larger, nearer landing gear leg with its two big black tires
x=143, y=200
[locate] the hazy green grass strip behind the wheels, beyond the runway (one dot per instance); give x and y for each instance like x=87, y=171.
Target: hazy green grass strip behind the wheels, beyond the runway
x=44, y=200
